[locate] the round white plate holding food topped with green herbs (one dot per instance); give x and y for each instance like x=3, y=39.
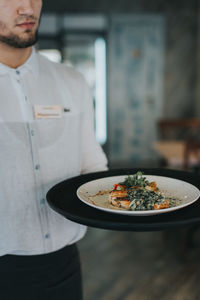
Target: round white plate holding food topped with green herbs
x=138, y=194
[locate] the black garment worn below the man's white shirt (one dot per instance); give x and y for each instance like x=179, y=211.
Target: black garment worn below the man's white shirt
x=53, y=276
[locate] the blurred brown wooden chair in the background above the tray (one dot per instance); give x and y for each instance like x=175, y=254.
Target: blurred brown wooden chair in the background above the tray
x=179, y=141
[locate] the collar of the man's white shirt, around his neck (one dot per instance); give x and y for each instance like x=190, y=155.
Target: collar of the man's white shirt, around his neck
x=31, y=64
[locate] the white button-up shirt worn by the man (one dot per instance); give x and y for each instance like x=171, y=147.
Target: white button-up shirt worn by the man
x=35, y=154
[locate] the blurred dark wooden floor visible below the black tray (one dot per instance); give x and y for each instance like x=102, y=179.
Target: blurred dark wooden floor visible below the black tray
x=139, y=266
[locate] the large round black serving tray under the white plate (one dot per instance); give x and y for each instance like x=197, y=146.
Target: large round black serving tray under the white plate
x=62, y=198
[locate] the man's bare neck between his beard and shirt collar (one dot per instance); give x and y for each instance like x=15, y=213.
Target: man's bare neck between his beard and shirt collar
x=14, y=57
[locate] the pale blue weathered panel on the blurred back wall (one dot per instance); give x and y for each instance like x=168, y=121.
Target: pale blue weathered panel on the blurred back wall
x=136, y=55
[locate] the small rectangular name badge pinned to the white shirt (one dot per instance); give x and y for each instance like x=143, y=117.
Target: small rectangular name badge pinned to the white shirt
x=47, y=111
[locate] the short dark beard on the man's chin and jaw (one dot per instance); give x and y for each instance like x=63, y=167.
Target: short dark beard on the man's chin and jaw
x=17, y=42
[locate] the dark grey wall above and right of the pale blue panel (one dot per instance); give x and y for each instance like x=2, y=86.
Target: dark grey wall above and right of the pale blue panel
x=180, y=78
